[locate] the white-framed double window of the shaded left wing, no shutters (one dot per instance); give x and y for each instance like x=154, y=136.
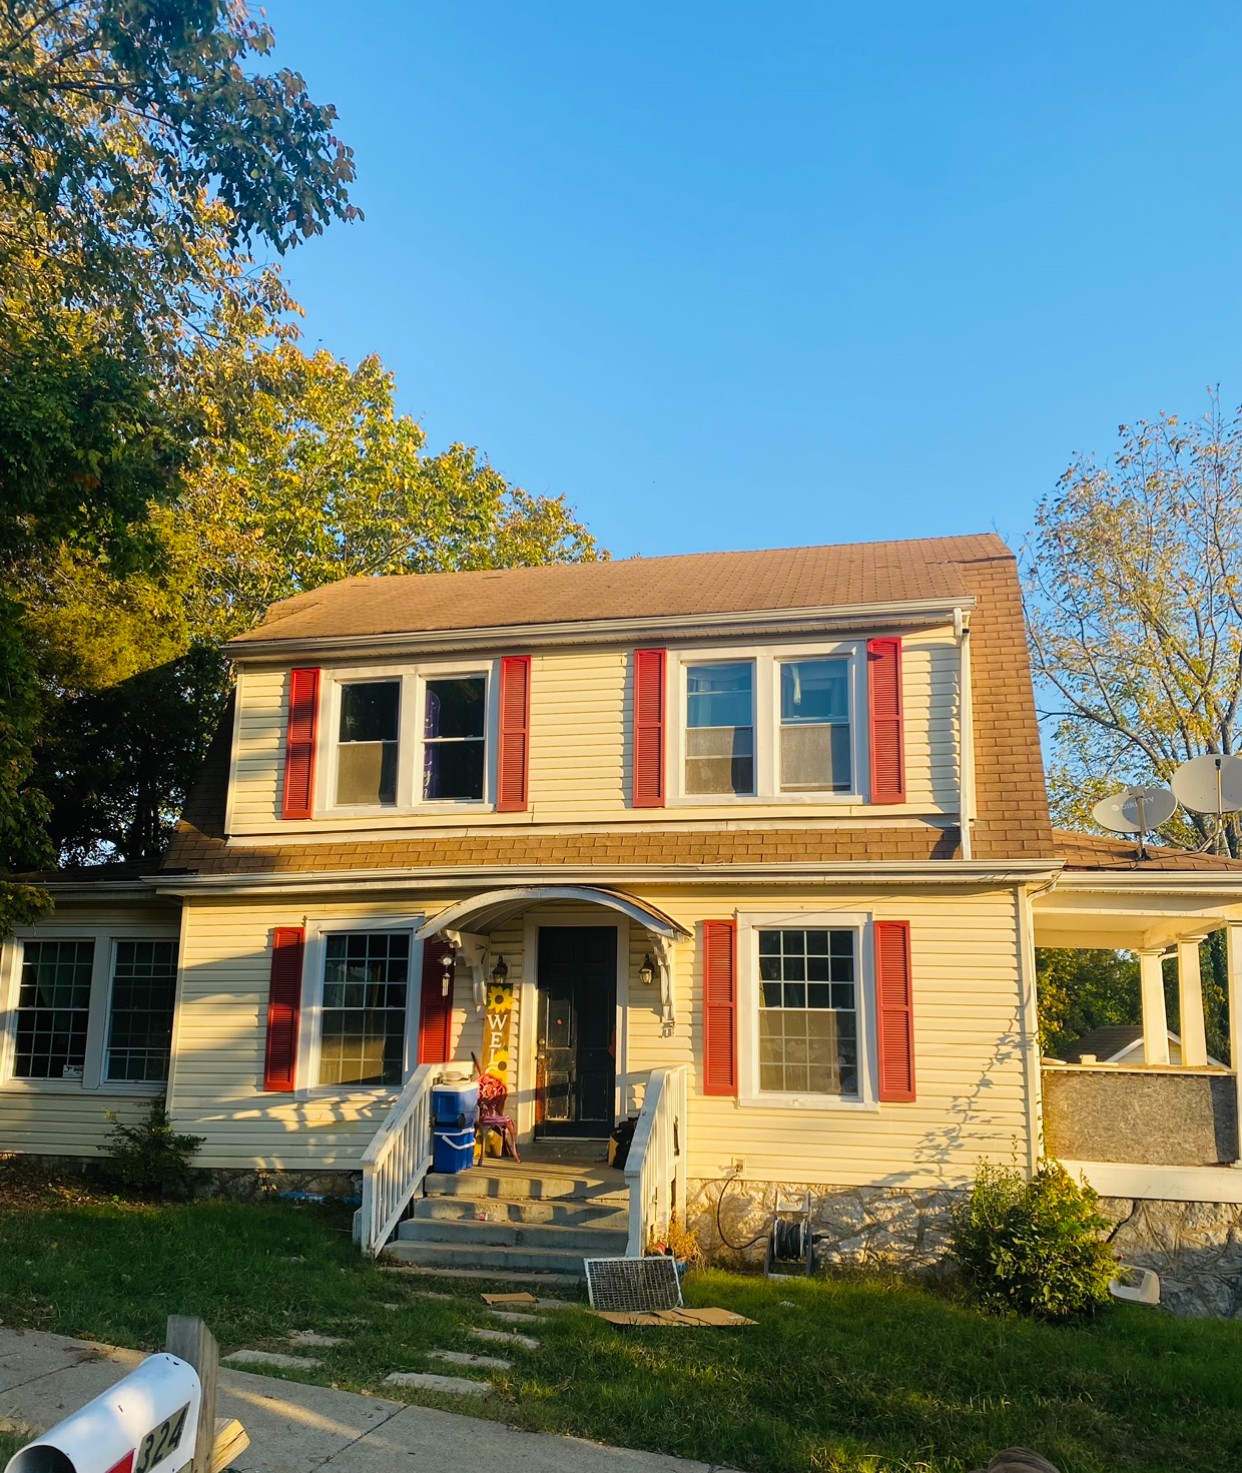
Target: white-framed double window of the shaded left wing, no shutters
x=89, y=1011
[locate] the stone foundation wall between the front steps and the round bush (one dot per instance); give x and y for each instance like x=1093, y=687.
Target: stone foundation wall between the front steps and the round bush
x=866, y=1226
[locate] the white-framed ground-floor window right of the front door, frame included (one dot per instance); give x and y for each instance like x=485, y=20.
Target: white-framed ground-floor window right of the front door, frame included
x=805, y=1004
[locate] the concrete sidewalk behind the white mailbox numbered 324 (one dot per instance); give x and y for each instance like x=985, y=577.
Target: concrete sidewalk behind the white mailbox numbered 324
x=295, y=1428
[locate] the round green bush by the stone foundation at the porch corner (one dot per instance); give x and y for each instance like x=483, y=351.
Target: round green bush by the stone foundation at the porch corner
x=1035, y=1247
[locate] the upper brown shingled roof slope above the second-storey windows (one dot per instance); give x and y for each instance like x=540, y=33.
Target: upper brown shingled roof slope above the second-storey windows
x=661, y=587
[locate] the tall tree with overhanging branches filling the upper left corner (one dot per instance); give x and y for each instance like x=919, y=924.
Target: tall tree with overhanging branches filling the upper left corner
x=145, y=148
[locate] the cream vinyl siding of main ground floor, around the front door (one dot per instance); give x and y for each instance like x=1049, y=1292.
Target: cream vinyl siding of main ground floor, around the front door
x=969, y=1047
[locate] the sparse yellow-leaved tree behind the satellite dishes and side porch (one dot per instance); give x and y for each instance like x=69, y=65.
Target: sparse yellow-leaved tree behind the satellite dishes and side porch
x=1135, y=628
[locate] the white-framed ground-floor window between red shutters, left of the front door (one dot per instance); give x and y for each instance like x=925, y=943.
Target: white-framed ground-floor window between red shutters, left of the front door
x=360, y=1005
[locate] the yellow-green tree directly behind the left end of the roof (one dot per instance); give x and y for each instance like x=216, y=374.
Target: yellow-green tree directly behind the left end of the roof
x=304, y=474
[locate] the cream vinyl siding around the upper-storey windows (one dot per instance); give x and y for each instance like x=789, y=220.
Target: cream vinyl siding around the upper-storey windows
x=581, y=752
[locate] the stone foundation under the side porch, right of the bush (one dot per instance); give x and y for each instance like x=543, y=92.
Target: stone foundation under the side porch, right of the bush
x=1194, y=1247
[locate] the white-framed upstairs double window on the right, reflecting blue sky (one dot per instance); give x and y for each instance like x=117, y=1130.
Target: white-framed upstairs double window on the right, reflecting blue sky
x=768, y=725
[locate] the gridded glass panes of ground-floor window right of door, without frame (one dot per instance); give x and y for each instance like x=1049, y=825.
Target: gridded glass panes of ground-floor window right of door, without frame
x=808, y=1013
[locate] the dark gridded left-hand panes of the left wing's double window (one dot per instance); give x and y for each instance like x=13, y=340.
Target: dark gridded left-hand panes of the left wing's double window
x=54, y=1010
